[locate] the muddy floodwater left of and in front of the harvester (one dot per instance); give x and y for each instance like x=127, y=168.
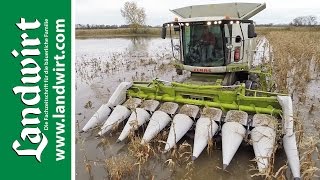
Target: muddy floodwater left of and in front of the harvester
x=101, y=64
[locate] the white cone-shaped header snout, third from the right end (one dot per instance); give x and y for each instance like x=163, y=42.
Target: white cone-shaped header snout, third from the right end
x=233, y=132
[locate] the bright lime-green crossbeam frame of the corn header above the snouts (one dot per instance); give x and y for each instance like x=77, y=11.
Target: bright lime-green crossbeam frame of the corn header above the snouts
x=224, y=97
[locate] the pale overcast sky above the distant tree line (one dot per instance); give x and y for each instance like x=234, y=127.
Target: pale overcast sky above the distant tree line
x=108, y=11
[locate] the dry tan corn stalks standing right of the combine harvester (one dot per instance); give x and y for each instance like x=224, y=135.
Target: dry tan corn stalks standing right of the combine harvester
x=295, y=62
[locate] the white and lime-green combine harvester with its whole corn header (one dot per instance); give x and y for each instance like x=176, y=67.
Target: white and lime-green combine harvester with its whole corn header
x=224, y=94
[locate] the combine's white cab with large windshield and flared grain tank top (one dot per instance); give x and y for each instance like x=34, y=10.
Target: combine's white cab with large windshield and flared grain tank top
x=216, y=39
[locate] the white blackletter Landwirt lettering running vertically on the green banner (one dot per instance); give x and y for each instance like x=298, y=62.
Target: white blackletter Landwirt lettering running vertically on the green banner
x=29, y=93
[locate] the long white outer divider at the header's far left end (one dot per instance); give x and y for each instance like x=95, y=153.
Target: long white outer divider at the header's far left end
x=118, y=97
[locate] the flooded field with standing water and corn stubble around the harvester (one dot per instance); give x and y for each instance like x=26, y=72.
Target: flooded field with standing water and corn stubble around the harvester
x=101, y=64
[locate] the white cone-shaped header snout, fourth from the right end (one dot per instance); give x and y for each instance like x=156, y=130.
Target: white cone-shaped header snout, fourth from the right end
x=206, y=127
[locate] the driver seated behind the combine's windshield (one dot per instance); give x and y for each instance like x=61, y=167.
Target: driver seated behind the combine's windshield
x=208, y=41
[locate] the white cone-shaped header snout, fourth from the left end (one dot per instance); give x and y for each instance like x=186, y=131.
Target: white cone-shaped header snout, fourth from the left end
x=159, y=120
